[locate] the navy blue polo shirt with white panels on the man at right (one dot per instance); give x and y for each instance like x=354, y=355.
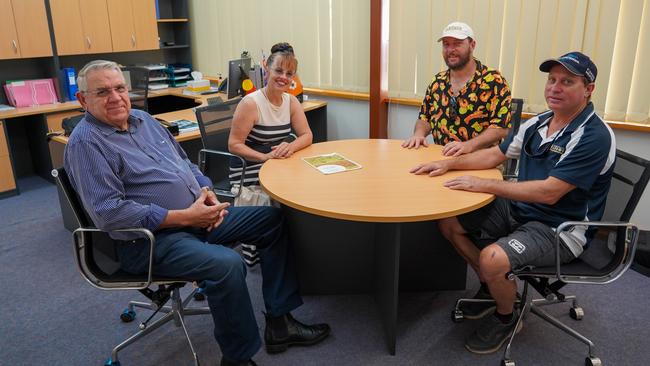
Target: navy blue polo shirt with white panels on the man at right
x=582, y=154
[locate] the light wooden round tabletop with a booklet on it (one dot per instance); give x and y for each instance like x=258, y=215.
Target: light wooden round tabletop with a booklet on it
x=383, y=190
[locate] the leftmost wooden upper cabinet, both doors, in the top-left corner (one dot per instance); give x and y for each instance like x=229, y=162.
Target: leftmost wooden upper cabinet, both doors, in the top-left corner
x=23, y=24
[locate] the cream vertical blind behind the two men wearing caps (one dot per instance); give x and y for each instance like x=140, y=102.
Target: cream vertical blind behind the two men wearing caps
x=515, y=36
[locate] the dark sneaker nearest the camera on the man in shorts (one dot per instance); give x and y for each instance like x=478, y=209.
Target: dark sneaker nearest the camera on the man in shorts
x=491, y=334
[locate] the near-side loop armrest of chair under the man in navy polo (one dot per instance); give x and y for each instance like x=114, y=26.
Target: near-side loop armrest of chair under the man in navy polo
x=626, y=241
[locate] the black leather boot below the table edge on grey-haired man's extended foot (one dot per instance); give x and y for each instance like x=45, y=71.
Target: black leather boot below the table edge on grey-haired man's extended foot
x=284, y=331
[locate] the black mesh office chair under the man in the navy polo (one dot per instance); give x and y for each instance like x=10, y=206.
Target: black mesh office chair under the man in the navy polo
x=608, y=255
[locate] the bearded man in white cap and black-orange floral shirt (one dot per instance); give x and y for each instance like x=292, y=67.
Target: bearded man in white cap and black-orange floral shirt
x=466, y=107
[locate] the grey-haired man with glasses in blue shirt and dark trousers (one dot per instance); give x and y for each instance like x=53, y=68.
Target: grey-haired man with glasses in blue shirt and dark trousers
x=129, y=171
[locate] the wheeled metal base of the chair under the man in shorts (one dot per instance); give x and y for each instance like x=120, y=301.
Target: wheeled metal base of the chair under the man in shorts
x=534, y=306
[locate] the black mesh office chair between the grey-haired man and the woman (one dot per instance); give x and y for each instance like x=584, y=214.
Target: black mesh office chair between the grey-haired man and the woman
x=214, y=159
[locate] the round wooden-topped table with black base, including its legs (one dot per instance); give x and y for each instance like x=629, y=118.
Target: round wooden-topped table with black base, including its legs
x=329, y=213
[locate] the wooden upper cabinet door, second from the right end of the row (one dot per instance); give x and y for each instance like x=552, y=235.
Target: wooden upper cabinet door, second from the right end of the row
x=120, y=16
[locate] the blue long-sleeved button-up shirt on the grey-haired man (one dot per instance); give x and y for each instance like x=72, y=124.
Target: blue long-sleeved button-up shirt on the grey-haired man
x=130, y=178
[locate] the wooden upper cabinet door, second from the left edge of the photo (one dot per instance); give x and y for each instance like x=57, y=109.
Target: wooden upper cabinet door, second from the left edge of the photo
x=31, y=26
